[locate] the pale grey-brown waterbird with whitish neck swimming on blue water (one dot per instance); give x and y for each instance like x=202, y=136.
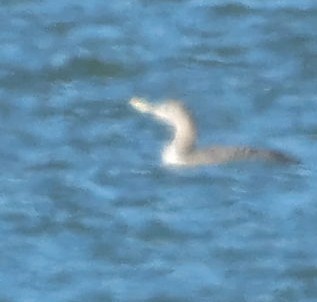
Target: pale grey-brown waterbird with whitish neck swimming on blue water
x=181, y=151
